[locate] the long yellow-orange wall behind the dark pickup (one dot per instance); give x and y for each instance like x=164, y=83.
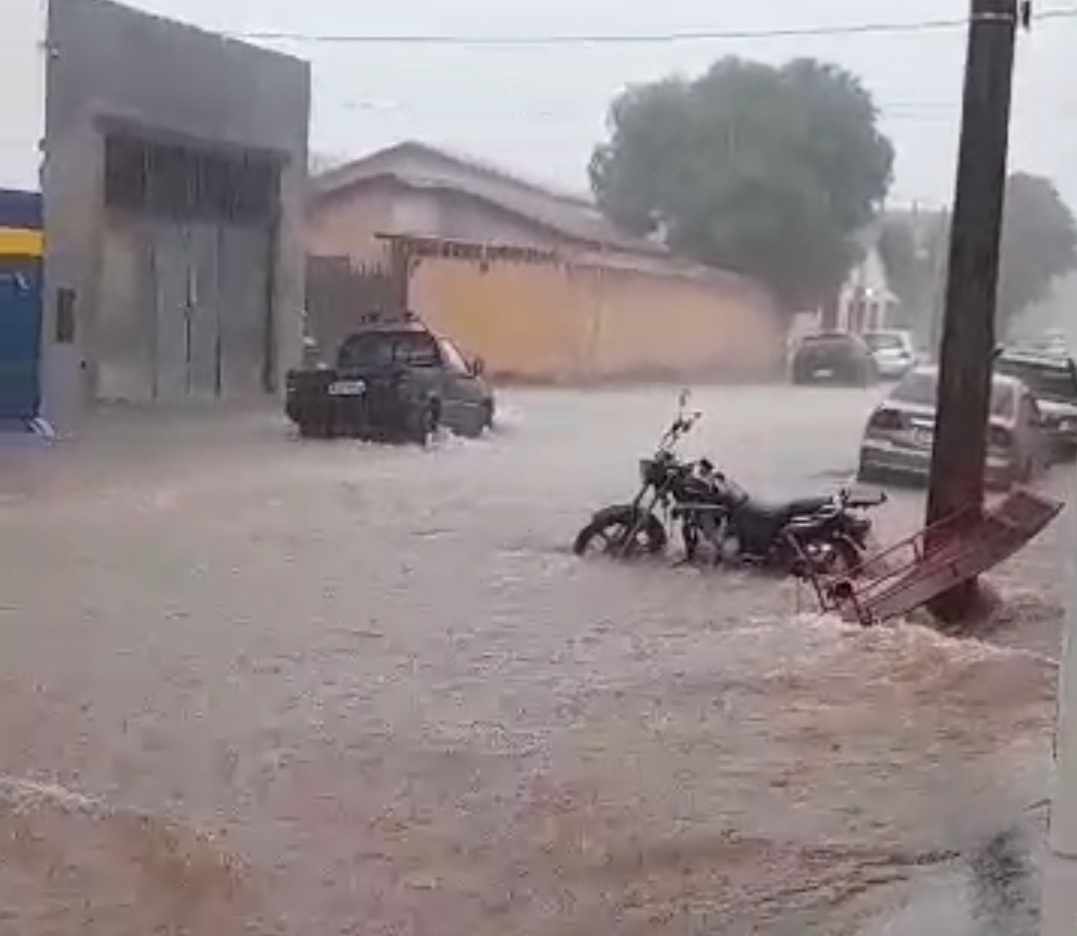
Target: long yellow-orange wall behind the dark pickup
x=555, y=323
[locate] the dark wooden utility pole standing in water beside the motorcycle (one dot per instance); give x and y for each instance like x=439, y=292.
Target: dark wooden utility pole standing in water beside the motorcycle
x=969, y=328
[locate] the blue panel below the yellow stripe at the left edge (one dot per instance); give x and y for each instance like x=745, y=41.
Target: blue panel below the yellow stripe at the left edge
x=20, y=343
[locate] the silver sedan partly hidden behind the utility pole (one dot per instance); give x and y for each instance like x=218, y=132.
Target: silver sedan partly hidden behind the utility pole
x=901, y=434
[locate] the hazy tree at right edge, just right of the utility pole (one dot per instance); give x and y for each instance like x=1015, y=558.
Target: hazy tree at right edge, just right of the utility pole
x=1039, y=246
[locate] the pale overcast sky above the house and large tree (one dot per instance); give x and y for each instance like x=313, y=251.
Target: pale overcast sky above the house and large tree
x=540, y=110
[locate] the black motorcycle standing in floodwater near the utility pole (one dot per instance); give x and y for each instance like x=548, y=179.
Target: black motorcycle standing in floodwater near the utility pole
x=812, y=536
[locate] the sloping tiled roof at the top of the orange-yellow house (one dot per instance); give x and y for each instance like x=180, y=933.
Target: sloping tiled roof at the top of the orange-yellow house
x=421, y=166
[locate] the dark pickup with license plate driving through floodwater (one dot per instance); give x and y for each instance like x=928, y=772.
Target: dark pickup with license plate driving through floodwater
x=394, y=381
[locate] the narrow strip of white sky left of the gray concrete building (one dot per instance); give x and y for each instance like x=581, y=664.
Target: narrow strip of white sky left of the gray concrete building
x=22, y=92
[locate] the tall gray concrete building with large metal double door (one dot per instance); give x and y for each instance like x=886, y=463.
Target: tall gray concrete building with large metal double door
x=173, y=181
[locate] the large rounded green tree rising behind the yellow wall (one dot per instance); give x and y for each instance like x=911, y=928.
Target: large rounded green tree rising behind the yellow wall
x=768, y=172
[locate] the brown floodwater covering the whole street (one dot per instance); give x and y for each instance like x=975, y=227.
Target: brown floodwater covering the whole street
x=256, y=686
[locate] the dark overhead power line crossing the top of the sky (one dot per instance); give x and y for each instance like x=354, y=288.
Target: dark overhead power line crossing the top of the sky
x=920, y=26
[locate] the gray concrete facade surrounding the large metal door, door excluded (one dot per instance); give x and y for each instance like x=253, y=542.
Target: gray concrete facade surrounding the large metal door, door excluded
x=111, y=66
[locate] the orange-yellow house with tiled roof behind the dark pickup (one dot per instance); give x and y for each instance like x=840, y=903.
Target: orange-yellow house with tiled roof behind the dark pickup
x=538, y=283
